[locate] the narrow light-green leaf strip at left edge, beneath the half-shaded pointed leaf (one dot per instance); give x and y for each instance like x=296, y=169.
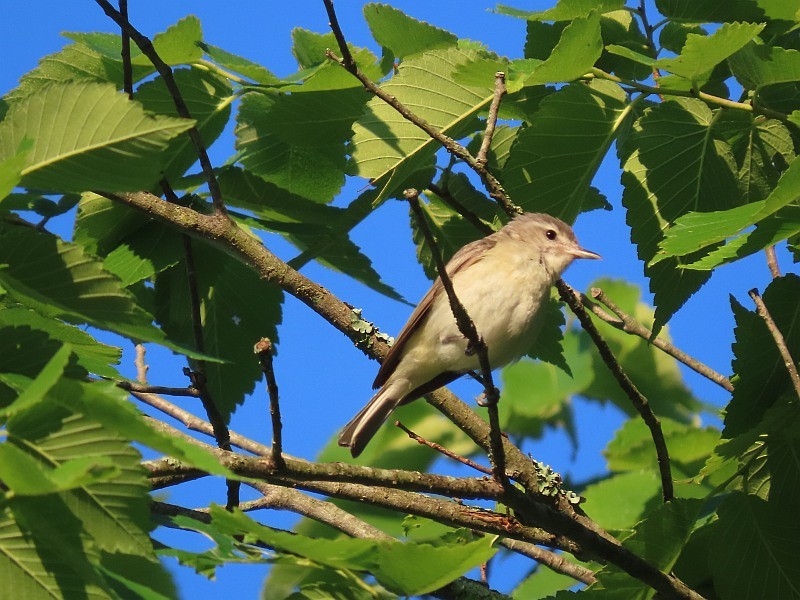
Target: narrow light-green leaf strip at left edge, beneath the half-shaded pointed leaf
x=90, y=354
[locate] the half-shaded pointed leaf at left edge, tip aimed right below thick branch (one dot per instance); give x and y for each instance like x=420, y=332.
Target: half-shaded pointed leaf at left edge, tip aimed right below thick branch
x=67, y=283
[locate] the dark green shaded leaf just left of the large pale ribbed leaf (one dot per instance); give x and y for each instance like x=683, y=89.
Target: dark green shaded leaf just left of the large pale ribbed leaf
x=297, y=141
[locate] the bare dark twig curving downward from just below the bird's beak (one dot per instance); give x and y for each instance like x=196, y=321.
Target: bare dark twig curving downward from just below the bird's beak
x=638, y=400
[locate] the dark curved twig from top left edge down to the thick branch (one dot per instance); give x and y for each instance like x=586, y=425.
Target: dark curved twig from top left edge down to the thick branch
x=146, y=46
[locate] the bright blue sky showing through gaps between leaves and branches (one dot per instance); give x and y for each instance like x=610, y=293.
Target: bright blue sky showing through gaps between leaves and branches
x=323, y=379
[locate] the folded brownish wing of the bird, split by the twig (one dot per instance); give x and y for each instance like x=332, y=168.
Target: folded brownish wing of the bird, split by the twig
x=468, y=255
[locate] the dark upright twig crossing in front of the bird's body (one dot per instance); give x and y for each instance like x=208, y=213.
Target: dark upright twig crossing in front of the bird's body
x=476, y=344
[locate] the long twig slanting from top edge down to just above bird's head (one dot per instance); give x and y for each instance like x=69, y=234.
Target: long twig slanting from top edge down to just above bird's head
x=494, y=187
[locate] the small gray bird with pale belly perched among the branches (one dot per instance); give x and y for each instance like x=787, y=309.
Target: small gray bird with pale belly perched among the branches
x=503, y=281
